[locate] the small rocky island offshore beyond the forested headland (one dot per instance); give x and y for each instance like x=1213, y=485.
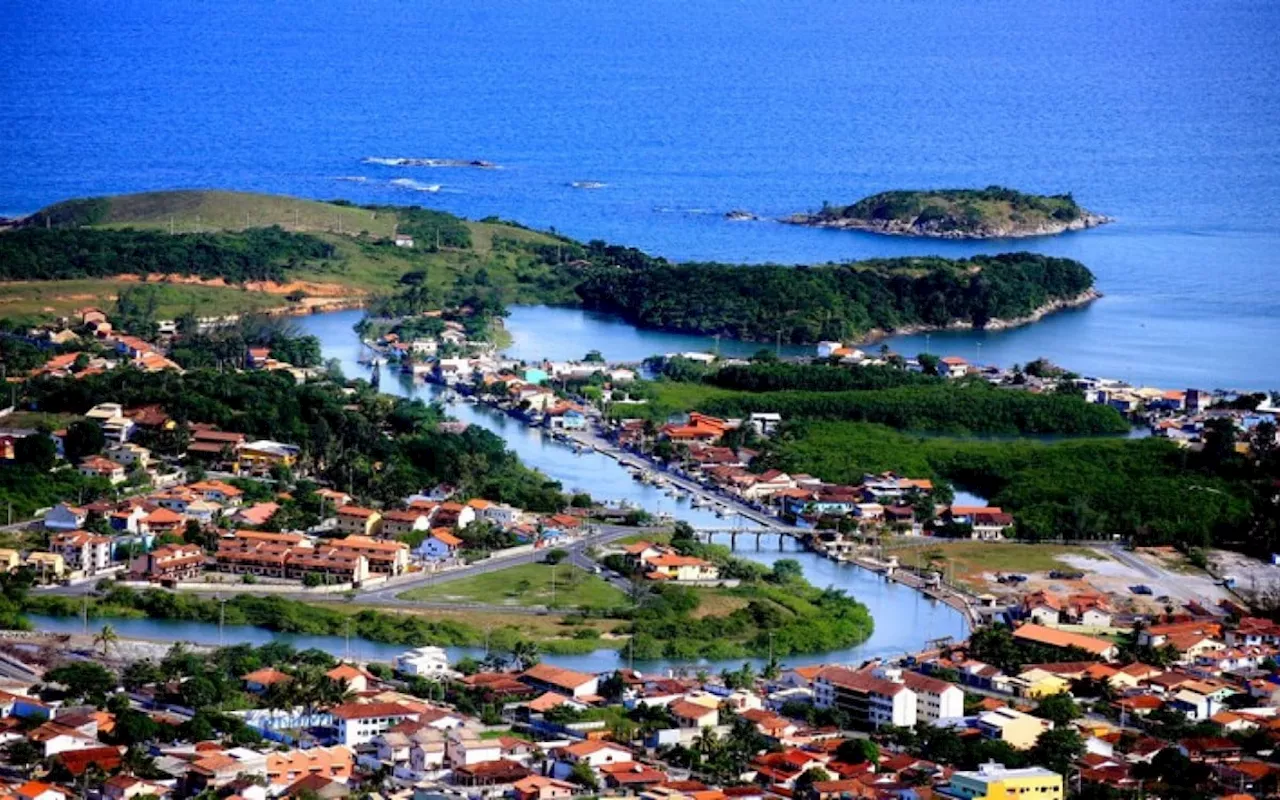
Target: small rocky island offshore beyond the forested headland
x=957, y=214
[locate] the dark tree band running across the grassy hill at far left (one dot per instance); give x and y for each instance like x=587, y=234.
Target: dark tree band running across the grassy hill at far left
x=259, y=254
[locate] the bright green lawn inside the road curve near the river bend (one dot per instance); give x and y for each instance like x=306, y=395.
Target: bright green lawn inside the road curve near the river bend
x=528, y=586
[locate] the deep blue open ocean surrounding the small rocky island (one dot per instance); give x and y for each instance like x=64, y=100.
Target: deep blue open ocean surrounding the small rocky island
x=1167, y=117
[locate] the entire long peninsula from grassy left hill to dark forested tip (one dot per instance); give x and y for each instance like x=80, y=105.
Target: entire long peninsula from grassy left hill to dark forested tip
x=207, y=249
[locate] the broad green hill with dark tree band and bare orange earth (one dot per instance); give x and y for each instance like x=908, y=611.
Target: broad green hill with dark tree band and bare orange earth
x=93, y=249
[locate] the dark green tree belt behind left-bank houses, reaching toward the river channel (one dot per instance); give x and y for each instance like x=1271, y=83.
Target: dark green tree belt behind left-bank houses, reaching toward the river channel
x=344, y=440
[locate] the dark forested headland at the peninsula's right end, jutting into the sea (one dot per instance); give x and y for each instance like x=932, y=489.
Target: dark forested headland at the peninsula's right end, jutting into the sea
x=804, y=305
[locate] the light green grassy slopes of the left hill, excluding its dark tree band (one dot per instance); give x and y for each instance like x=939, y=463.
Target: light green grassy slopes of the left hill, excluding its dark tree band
x=365, y=262
